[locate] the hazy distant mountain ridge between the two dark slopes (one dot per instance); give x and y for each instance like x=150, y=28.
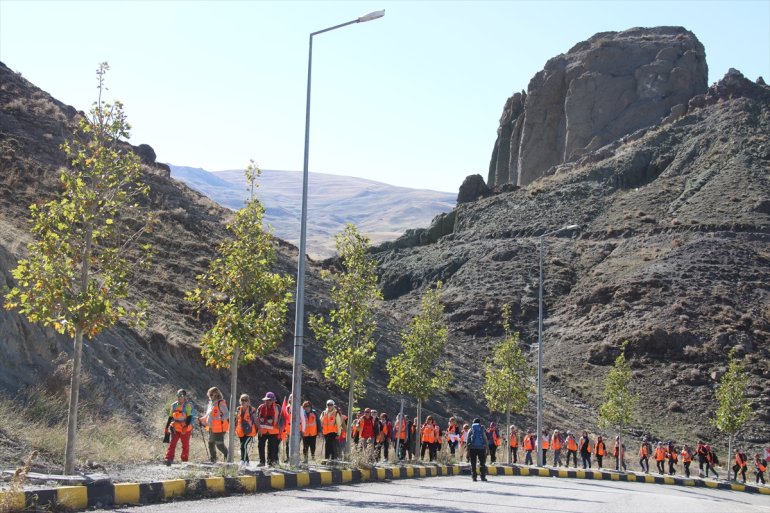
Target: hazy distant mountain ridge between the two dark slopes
x=381, y=211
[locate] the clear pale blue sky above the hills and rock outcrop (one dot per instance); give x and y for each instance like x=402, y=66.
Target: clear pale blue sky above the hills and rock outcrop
x=411, y=99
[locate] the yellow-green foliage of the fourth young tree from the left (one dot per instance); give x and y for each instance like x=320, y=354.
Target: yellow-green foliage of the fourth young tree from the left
x=415, y=371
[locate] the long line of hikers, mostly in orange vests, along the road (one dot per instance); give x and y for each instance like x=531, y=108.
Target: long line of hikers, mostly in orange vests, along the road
x=270, y=423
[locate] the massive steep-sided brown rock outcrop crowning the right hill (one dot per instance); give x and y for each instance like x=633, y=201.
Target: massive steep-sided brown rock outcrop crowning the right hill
x=602, y=89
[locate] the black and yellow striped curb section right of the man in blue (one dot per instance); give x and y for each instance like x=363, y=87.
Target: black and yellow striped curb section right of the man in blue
x=518, y=470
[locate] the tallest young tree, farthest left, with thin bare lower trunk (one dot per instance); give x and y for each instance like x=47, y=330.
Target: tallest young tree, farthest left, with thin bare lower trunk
x=77, y=273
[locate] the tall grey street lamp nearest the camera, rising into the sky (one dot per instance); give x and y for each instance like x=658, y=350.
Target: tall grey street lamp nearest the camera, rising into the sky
x=299, y=317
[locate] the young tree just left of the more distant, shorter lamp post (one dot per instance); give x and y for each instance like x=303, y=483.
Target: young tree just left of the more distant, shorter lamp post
x=507, y=374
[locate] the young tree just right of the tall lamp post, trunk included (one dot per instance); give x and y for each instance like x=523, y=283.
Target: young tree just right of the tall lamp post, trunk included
x=348, y=334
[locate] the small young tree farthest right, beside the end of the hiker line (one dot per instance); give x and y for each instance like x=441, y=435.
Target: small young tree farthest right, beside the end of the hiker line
x=734, y=409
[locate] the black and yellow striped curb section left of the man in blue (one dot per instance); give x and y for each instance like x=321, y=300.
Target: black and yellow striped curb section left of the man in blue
x=119, y=494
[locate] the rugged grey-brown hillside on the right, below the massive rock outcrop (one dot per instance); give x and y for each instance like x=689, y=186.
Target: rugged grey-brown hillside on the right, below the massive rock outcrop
x=672, y=254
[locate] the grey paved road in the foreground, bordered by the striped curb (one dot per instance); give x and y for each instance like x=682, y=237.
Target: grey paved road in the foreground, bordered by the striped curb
x=501, y=494
